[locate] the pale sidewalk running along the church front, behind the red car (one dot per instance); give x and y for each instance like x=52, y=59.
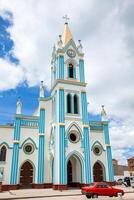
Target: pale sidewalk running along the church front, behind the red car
x=42, y=193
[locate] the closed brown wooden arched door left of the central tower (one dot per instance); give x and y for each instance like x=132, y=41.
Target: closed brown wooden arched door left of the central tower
x=26, y=175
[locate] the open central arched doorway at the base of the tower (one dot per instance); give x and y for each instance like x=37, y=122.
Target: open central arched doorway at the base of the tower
x=74, y=171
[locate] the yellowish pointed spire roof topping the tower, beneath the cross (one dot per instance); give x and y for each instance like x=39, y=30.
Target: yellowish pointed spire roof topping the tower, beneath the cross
x=67, y=35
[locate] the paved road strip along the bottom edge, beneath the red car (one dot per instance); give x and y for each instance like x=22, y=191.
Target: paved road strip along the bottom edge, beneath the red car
x=82, y=197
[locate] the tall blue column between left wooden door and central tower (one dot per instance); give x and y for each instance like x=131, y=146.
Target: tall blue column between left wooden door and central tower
x=40, y=179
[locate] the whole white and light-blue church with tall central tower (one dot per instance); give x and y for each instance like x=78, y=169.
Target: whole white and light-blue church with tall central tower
x=57, y=146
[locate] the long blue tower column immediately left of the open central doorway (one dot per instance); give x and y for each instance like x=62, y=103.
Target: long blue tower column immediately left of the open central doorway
x=61, y=120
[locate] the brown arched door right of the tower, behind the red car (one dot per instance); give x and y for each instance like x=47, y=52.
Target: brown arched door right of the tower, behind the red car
x=98, y=172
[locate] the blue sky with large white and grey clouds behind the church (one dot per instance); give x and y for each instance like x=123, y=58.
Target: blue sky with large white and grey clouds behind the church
x=28, y=31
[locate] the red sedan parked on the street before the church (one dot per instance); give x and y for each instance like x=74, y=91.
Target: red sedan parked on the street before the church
x=101, y=189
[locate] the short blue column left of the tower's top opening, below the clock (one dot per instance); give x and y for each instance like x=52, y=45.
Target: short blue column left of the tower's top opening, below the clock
x=60, y=67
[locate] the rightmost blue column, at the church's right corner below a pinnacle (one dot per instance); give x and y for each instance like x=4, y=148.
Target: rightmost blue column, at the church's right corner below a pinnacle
x=108, y=151
